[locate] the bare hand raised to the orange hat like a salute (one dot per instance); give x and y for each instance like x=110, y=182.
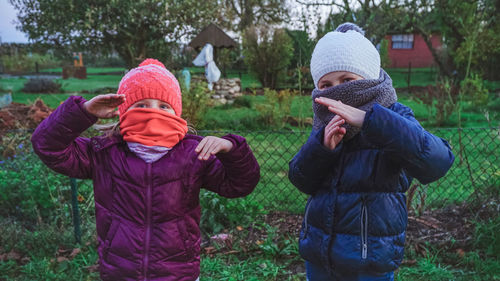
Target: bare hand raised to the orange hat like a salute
x=103, y=106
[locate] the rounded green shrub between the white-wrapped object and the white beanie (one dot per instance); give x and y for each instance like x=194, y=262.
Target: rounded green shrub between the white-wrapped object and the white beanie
x=267, y=53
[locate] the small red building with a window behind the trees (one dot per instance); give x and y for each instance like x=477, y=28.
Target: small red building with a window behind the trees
x=411, y=48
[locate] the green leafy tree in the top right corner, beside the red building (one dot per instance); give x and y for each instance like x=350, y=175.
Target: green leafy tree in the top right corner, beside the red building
x=469, y=29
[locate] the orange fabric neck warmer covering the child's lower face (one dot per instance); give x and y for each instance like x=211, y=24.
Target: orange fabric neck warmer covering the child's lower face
x=152, y=127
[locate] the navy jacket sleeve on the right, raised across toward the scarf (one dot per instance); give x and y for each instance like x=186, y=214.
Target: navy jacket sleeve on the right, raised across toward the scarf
x=423, y=155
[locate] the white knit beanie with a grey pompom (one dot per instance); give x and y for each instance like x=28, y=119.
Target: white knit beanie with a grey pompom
x=345, y=49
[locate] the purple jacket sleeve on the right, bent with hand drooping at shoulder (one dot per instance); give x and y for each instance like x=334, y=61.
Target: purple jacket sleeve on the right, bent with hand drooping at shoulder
x=232, y=174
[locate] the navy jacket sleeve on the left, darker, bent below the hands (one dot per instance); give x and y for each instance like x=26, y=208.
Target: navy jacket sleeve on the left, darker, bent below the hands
x=311, y=166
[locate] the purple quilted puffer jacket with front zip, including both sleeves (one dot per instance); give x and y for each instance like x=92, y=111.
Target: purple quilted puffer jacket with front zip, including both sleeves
x=147, y=214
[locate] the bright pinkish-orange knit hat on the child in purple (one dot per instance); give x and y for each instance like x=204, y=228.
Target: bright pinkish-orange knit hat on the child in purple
x=150, y=80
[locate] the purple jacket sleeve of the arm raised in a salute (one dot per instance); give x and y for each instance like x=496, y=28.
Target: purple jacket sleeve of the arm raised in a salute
x=56, y=139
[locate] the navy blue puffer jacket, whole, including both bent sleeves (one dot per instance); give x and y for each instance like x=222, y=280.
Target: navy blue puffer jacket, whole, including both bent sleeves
x=356, y=215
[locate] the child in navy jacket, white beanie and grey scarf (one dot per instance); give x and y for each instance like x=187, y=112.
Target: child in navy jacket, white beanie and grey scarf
x=364, y=150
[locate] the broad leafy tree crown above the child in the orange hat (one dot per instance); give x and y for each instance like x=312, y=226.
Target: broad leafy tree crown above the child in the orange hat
x=135, y=29
